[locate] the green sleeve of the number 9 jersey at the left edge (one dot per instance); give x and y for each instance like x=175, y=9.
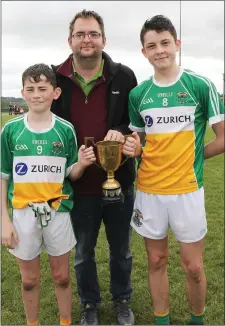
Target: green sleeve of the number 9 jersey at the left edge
x=6, y=154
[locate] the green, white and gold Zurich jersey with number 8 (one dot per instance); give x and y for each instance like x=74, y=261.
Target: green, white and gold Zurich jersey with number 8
x=174, y=119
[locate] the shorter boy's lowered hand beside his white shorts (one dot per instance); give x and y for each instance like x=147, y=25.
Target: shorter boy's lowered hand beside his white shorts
x=9, y=234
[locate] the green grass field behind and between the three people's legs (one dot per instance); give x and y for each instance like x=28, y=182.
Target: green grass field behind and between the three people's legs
x=12, y=307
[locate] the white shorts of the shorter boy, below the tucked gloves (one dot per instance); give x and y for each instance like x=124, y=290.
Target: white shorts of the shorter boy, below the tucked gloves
x=57, y=237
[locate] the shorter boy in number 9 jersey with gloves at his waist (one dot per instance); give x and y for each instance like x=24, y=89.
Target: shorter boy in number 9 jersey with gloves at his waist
x=39, y=156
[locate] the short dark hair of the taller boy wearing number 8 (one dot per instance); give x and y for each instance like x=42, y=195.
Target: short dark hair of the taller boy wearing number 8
x=159, y=24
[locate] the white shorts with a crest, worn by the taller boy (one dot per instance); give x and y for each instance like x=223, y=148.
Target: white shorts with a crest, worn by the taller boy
x=184, y=214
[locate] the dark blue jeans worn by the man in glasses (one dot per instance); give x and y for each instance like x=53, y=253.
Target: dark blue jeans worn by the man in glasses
x=87, y=215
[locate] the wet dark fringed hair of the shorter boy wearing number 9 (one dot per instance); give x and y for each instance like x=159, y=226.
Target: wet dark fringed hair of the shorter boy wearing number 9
x=34, y=73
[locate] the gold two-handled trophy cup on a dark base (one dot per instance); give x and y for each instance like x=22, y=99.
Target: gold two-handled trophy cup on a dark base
x=109, y=154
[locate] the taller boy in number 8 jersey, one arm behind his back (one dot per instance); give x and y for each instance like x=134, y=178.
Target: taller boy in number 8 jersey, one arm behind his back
x=170, y=111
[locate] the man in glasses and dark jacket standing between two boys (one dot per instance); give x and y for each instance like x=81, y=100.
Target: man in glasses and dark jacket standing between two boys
x=95, y=100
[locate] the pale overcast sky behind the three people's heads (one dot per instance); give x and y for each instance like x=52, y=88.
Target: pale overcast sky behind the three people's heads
x=37, y=31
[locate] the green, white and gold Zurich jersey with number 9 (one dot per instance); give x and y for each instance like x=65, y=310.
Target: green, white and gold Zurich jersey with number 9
x=37, y=163
